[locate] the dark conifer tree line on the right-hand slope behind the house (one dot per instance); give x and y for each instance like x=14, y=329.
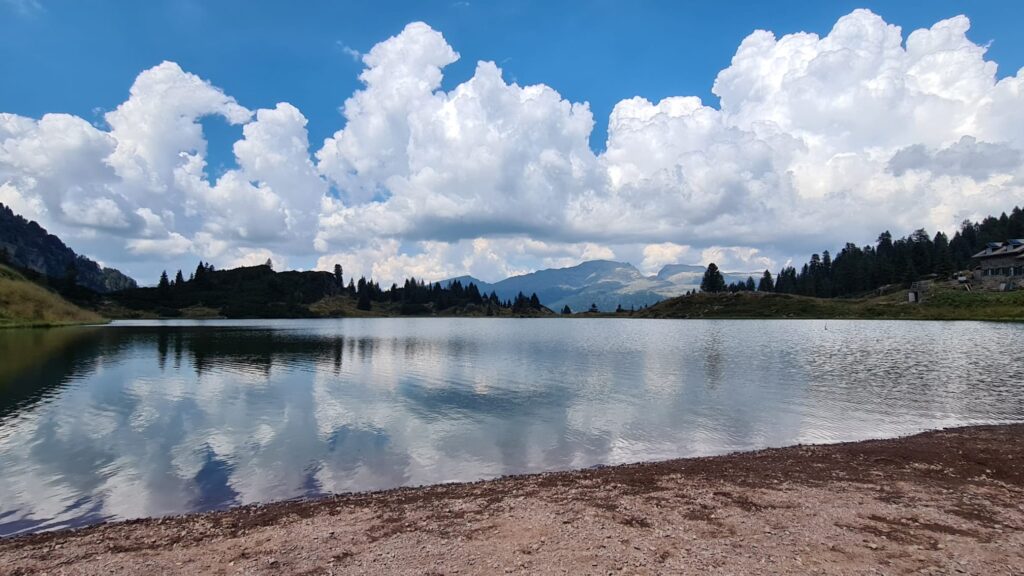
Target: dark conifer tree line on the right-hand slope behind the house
x=860, y=270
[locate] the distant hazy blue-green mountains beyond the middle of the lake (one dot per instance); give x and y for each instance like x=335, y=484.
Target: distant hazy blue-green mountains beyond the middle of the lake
x=605, y=283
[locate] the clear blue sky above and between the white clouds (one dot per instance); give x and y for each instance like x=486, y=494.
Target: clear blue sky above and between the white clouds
x=79, y=57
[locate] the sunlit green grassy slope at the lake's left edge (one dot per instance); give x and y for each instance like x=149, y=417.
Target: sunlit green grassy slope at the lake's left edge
x=26, y=304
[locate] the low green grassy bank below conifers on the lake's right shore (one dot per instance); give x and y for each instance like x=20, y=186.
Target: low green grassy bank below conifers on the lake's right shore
x=943, y=303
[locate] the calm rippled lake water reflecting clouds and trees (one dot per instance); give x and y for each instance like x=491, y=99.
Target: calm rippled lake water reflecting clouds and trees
x=139, y=420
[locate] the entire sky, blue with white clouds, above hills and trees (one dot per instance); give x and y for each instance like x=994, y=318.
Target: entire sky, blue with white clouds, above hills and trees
x=441, y=139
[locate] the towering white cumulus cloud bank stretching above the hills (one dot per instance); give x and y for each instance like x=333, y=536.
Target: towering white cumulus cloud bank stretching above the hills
x=817, y=141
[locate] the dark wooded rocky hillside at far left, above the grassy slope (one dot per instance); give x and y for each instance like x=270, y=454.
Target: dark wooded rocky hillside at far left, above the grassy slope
x=27, y=245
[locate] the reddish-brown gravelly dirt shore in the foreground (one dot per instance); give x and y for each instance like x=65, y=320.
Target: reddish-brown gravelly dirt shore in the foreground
x=943, y=503
